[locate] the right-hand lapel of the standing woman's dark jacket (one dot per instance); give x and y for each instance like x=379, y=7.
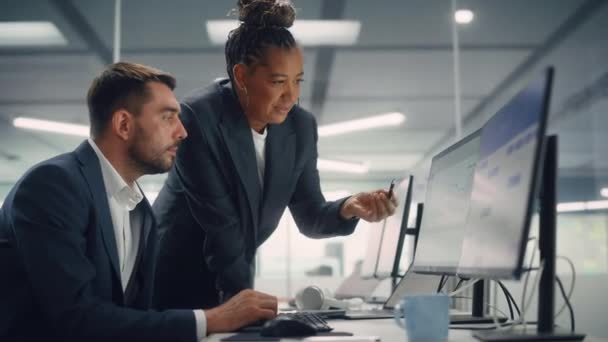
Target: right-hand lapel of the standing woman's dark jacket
x=280, y=159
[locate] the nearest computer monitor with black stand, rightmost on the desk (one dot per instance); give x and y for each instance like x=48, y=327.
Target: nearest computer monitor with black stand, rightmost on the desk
x=516, y=159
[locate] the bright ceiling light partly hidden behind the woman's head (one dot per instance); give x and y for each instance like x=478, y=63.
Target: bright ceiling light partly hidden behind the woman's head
x=306, y=32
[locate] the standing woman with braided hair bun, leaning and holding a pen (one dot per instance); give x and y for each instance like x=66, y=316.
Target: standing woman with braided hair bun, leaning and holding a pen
x=251, y=152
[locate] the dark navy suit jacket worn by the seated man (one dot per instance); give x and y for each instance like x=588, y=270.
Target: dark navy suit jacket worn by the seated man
x=60, y=279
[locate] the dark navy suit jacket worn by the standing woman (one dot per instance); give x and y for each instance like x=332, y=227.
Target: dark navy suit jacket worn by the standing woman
x=214, y=213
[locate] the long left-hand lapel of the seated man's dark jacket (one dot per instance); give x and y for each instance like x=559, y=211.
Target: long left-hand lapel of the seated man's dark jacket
x=92, y=173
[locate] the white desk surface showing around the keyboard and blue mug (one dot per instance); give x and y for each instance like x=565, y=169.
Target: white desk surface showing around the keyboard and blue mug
x=388, y=331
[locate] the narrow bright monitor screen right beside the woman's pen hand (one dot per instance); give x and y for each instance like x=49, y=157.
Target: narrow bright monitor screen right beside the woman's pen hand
x=394, y=232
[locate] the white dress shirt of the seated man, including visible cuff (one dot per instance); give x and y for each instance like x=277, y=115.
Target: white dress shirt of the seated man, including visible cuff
x=122, y=199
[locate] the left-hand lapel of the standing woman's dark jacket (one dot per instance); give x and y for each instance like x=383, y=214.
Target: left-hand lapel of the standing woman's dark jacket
x=237, y=136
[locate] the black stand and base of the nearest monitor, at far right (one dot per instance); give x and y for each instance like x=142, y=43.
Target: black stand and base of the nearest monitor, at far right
x=545, y=330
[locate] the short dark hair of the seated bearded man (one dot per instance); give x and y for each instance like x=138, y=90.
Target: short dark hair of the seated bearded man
x=121, y=85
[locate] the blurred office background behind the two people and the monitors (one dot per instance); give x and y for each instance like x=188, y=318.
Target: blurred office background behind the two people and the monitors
x=397, y=56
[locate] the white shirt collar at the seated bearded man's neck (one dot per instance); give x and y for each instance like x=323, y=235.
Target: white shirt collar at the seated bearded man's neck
x=116, y=187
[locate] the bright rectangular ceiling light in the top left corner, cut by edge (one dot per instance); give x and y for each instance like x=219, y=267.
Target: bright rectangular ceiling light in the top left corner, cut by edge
x=30, y=33
